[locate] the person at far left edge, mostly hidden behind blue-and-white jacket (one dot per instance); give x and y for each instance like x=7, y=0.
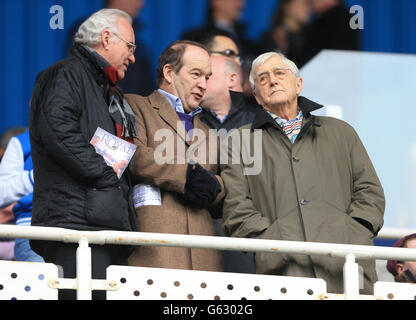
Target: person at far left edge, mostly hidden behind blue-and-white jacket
x=6, y=213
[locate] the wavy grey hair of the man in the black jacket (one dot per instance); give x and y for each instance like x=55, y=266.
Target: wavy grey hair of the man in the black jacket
x=89, y=32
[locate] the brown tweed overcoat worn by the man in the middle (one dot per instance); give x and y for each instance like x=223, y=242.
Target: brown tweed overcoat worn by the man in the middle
x=160, y=160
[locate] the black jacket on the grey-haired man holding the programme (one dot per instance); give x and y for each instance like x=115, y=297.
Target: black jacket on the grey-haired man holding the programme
x=74, y=187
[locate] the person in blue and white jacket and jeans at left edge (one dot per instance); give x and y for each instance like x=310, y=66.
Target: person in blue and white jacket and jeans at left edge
x=16, y=185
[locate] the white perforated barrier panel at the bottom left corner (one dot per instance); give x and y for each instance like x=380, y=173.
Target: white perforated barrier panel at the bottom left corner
x=27, y=281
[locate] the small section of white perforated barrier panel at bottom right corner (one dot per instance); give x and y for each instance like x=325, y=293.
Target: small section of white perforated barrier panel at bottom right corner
x=395, y=290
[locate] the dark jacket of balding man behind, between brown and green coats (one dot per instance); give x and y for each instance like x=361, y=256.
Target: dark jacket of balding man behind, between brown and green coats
x=240, y=114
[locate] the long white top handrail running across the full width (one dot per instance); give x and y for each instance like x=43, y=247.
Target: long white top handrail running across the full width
x=207, y=242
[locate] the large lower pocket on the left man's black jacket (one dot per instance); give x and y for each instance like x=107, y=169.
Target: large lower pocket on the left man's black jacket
x=107, y=208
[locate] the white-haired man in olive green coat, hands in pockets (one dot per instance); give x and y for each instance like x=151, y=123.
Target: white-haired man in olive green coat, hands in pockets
x=316, y=181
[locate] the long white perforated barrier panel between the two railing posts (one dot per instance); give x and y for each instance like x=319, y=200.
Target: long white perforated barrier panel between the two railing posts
x=137, y=283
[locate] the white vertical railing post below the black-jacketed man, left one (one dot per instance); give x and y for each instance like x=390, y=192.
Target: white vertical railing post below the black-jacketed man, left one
x=84, y=291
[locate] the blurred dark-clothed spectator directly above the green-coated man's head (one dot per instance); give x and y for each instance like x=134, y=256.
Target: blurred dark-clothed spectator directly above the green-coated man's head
x=286, y=34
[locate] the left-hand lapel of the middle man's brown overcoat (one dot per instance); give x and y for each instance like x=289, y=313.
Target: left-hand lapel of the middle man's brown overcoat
x=168, y=114
